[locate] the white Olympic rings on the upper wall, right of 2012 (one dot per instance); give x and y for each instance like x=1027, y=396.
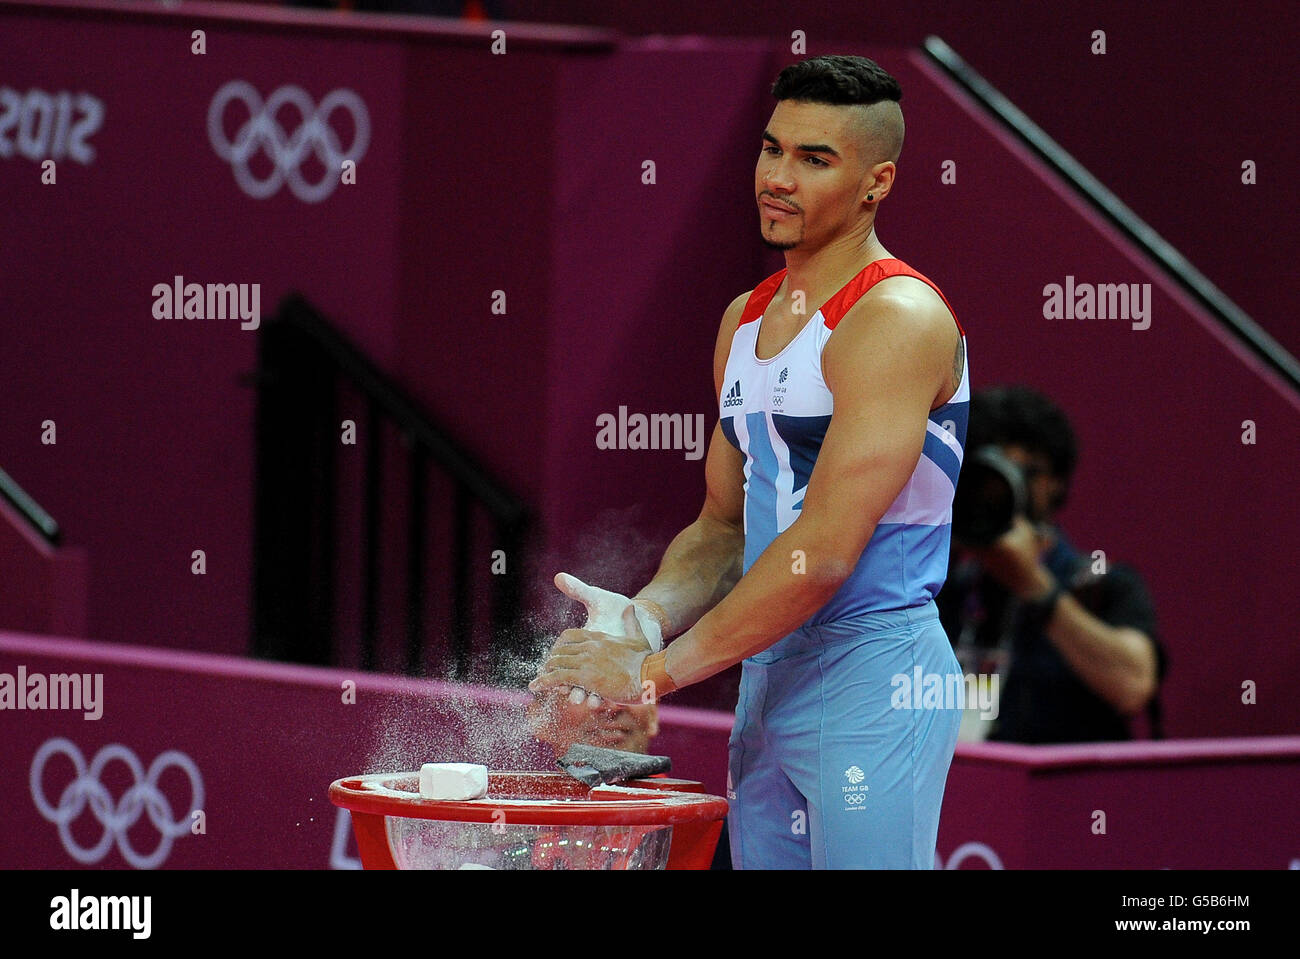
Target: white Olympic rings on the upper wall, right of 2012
x=287, y=151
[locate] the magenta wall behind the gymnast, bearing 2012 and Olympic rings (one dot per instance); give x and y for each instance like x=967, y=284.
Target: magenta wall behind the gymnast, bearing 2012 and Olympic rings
x=523, y=173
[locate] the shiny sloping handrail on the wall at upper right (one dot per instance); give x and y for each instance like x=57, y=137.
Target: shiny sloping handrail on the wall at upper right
x=1133, y=227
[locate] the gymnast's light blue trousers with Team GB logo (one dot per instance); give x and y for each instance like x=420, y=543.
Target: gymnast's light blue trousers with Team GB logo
x=835, y=762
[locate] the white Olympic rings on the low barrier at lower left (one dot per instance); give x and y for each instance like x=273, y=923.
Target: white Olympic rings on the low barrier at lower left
x=144, y=797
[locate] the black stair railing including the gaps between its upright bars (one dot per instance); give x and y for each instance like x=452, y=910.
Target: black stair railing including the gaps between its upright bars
x=310, y=527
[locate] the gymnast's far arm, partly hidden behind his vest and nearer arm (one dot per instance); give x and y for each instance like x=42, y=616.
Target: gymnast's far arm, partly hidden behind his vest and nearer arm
x=703, y=563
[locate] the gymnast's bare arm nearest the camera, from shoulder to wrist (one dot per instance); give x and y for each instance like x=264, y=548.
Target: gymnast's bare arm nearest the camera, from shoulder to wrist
x=886, y=366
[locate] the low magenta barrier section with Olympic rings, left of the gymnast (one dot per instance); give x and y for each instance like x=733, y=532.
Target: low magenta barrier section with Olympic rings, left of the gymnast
x=265, y=741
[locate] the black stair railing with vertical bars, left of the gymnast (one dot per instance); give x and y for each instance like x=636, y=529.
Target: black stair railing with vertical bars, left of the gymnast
x=302, y=363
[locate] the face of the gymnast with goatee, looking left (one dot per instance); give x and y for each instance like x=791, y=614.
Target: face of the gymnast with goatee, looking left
x=812, y=175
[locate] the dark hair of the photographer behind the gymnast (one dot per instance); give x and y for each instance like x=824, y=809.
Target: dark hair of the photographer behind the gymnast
x=1020, y=416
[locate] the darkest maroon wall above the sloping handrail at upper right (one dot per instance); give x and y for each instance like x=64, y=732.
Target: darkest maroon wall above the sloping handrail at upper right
x=1184, y=96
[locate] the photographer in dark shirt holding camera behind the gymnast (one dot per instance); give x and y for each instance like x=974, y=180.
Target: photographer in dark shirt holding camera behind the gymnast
x=1072, y=637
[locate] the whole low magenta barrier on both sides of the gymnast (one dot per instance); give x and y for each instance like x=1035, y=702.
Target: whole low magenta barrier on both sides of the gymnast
x=263, y=741
